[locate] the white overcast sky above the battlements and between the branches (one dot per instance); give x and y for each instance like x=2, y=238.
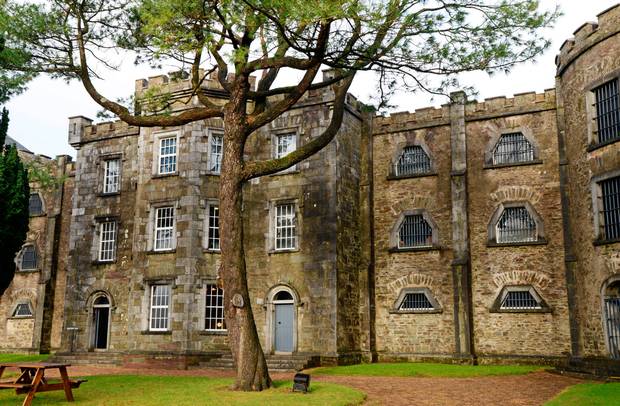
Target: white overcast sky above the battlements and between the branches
x=39, y=116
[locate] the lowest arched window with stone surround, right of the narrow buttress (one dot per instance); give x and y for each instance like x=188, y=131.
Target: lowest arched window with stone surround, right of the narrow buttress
x=519, y=299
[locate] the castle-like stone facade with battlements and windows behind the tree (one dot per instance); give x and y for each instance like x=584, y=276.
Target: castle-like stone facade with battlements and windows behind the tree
x=478, y=231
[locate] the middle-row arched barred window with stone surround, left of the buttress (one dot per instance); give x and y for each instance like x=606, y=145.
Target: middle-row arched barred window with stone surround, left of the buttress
x=414, y=230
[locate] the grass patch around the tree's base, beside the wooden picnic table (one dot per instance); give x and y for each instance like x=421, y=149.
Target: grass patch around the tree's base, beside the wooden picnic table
x=174, y=390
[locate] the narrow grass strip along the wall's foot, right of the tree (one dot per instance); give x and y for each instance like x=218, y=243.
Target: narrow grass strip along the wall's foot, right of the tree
x=421, y=369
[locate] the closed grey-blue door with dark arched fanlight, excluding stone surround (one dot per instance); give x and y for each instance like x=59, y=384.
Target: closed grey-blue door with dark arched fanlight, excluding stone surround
x=284, y=322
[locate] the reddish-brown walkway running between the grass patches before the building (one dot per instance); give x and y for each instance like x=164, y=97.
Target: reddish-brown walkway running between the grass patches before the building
x=520, y=390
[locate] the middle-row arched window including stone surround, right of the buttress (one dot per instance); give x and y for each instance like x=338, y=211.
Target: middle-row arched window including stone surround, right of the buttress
x=516, y=223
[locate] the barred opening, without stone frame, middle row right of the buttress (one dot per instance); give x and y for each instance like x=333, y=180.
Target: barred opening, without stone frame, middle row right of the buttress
x=516, y=225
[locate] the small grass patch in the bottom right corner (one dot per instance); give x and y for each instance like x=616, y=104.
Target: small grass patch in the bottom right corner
x=591, y=394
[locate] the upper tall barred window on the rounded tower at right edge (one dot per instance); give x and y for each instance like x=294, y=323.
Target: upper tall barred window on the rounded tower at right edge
x=607, y=103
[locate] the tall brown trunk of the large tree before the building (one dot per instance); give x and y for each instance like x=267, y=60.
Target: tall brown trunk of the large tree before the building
x=252, y=373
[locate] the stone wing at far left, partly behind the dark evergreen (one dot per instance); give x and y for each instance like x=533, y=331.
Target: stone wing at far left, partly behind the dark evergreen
x=32, y=308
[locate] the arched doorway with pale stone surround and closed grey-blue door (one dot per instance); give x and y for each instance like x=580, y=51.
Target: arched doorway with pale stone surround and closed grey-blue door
x=283, y=320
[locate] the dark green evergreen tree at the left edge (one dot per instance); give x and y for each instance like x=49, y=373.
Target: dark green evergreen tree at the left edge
x=14, y=196
